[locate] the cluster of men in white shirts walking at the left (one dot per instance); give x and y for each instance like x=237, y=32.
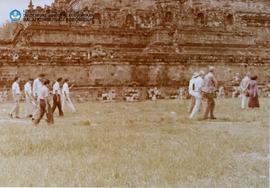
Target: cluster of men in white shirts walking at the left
x=37, y=98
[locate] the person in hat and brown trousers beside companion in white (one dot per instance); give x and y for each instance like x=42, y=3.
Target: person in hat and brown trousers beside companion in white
x=209, y=93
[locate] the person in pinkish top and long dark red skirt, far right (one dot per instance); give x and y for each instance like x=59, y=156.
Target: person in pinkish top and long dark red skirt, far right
x=253, y=93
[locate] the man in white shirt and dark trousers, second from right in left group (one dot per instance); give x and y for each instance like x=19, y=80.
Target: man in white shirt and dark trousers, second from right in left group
x=57, y=97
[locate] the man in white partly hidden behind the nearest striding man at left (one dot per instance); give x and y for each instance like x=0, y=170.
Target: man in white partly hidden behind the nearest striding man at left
x=37, y=85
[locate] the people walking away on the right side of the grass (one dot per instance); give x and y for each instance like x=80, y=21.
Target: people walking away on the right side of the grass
x=203, y=87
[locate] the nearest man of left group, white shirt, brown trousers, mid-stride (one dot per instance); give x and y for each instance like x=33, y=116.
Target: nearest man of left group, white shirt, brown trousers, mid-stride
x=44, y=104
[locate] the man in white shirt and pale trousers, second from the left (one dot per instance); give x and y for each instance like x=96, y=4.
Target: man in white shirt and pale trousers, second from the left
x=29, y=100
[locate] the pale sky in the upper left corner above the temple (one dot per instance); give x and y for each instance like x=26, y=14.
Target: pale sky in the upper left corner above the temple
x=6, y=6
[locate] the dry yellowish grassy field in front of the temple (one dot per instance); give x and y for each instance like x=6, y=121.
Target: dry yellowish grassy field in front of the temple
x=144, y=144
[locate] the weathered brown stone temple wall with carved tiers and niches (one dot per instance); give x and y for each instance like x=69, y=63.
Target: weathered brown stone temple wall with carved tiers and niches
x=140, y=43
